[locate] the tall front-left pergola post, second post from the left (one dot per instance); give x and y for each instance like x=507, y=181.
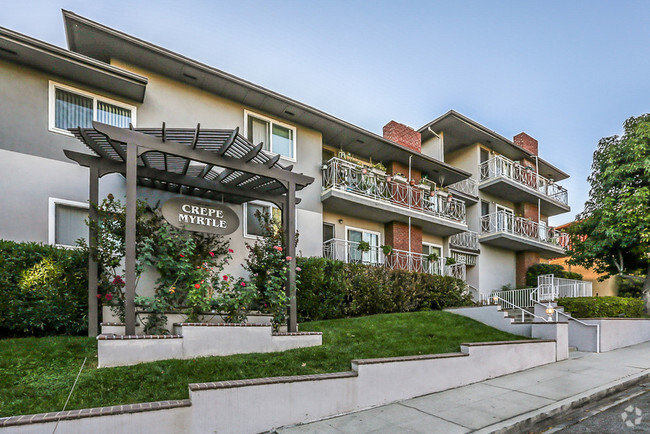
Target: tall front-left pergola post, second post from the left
x=131, y=204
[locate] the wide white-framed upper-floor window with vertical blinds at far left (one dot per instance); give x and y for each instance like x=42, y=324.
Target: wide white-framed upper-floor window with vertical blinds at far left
x=70, y=108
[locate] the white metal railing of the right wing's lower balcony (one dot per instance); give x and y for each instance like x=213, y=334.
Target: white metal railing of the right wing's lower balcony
x=502, y=221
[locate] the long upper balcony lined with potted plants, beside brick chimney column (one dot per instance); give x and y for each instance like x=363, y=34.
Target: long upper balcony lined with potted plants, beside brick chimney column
x=368, y=193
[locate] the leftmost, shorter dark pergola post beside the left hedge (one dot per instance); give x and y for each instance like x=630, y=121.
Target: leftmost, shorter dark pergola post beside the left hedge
x=93, y=199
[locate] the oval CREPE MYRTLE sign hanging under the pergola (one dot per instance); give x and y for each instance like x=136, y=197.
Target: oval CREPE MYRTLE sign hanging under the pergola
x=199, y=216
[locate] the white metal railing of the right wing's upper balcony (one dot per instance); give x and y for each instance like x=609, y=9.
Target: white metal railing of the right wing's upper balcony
x=501, y=166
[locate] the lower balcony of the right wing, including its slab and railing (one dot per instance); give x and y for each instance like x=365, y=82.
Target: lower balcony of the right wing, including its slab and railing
x=502, y=229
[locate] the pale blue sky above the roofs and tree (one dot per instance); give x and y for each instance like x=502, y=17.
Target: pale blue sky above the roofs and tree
x=566, y=73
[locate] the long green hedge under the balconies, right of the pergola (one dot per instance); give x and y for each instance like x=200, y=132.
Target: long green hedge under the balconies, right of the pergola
x=333, y=289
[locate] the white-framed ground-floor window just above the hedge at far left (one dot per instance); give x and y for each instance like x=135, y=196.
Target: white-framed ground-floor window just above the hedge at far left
x=67, y=222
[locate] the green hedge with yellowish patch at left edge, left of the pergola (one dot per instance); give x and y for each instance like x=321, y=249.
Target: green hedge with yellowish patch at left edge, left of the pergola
x=43, y=290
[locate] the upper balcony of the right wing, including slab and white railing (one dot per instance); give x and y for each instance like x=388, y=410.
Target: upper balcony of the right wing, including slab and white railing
x=509, y=180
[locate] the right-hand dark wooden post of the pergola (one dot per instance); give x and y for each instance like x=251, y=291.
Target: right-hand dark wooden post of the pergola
x=290, y=249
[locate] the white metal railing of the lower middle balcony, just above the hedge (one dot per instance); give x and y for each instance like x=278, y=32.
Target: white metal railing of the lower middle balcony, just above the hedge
x=349, y=252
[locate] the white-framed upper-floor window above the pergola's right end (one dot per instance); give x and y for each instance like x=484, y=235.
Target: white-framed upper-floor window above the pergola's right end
x=278, y=137
